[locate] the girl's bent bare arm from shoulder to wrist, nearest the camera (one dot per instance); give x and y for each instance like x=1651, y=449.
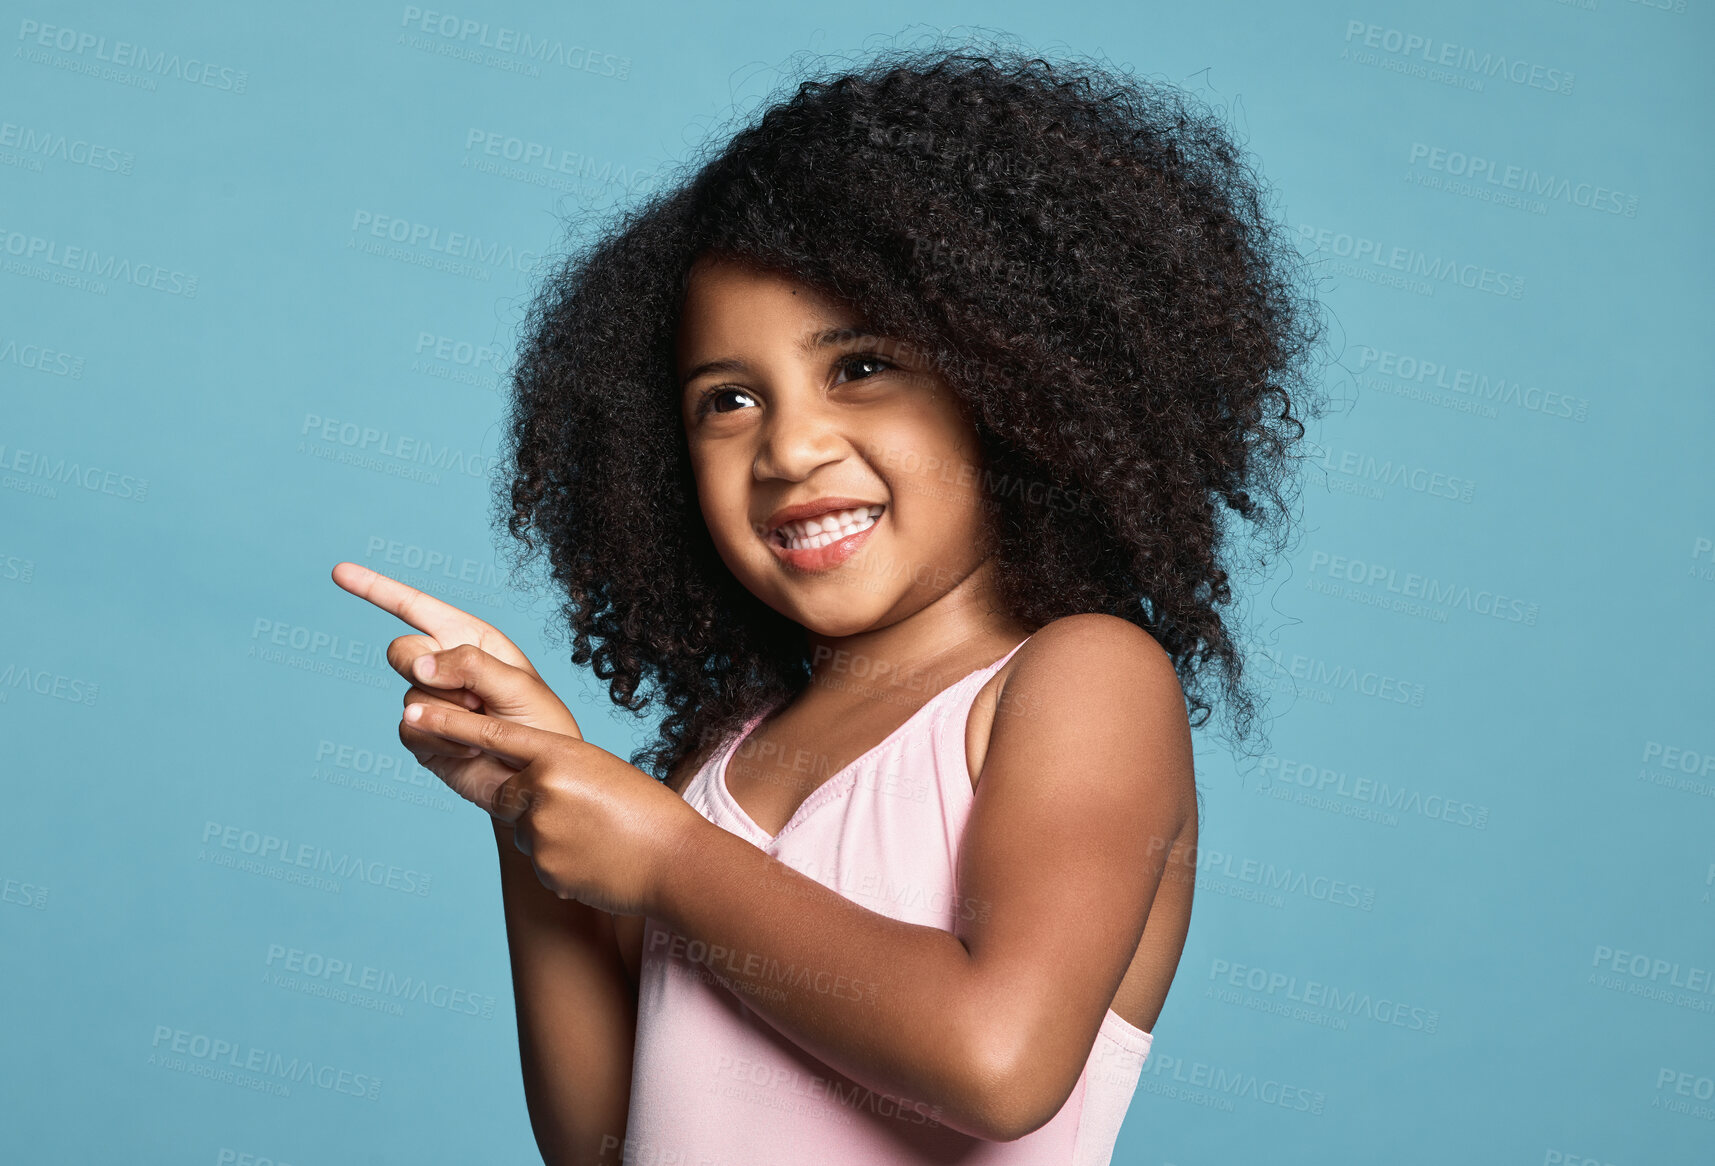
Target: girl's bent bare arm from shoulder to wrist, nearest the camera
x=1086, y=784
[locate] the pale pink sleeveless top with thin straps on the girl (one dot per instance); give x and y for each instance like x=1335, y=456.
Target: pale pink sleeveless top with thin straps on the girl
x=716, y=1085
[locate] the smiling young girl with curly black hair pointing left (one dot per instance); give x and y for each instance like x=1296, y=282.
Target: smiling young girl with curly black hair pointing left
x=898, y=447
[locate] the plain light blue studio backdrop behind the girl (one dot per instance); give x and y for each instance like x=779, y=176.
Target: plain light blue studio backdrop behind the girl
x=1464, y=908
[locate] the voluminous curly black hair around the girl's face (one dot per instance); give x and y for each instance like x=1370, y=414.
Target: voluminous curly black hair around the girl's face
x=1088, y=260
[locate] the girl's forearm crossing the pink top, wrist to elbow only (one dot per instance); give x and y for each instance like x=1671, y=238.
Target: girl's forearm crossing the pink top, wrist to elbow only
x=893, y=1006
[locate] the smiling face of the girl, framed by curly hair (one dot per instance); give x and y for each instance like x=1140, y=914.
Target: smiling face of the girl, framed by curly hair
x=797, y=411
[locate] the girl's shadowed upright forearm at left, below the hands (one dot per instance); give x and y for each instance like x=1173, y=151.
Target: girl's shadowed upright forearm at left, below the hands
x=577, y=1016
